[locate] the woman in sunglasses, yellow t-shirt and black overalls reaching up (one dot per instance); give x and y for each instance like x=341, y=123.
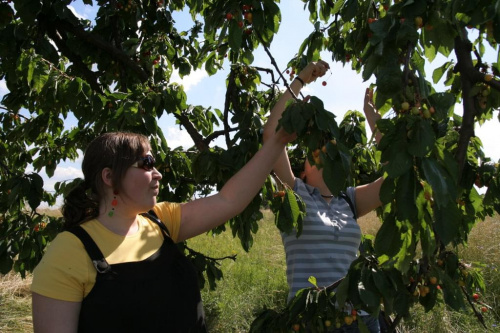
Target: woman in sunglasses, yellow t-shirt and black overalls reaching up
x=116, y=270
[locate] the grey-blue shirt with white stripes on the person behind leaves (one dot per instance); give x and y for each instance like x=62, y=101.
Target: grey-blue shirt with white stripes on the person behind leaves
x=328, y=244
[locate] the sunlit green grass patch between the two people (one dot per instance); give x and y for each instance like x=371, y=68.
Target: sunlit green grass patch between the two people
x=256, y=279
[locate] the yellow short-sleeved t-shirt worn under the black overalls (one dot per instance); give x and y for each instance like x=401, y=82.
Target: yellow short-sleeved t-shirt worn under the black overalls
x=66, y=271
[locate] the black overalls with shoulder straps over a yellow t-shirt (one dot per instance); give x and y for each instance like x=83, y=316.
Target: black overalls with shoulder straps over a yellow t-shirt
x=159, y=294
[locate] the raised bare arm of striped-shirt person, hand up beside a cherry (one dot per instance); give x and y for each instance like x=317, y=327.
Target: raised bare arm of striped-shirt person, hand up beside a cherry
x=309, y=74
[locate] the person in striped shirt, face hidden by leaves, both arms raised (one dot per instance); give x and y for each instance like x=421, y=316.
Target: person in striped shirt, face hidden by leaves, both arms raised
x=331, y=236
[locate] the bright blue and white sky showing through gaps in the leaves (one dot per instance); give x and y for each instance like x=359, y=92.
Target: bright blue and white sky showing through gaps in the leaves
x=344, y=90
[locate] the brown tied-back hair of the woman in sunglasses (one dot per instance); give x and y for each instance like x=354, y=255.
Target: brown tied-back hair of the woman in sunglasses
x=117, y=151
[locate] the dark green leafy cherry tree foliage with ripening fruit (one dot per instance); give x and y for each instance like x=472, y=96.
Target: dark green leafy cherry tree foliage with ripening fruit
x=114, y=73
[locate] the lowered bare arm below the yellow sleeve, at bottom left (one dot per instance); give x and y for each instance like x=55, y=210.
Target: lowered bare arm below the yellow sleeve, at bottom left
x=54, y=316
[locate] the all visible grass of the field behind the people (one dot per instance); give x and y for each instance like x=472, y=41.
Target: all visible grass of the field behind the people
x=257, y=279
